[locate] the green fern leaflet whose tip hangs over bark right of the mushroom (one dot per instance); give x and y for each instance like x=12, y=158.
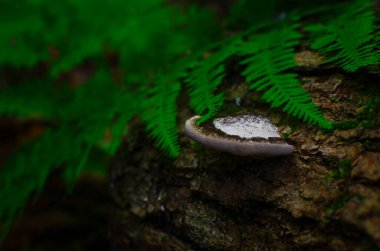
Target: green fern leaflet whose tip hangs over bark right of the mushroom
x=268, y=58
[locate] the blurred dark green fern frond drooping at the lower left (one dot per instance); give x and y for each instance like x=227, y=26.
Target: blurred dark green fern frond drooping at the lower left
x=84, y=115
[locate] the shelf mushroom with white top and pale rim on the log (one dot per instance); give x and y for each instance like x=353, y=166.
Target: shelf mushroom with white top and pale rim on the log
x=244, y=135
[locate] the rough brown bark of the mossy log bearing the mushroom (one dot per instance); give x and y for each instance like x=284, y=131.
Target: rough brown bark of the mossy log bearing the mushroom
x=326, y=196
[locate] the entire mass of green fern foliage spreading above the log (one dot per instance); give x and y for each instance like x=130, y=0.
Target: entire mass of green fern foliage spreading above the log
x=160, y=48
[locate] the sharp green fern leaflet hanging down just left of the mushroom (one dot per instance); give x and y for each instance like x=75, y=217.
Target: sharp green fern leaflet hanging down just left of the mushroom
x=160, y=114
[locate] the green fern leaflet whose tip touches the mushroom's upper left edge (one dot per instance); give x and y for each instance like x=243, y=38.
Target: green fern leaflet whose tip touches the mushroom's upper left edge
x=204, y=80
